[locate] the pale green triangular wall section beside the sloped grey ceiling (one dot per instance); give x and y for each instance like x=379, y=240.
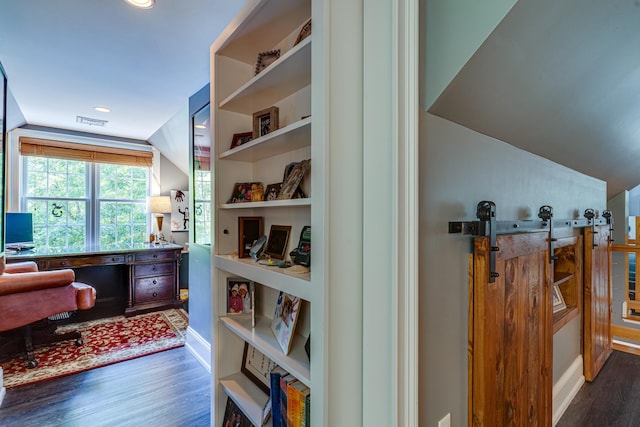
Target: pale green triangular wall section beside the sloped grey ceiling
x=455, y=29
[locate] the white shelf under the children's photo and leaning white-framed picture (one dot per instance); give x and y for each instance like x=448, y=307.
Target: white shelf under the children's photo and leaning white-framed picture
x=262, y=338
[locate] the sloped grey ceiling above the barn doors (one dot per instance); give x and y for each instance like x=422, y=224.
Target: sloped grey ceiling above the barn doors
x=560, y=79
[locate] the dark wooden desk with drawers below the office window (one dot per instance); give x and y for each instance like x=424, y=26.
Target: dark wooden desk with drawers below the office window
x=129, y=280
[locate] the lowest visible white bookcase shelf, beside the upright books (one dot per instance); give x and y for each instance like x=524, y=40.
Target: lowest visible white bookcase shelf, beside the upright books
x=249, y=397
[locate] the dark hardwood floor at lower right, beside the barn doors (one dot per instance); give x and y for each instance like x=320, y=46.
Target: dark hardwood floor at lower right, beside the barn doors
x=611, y=400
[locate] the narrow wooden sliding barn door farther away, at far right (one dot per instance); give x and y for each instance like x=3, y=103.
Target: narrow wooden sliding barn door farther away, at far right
x=597, y=300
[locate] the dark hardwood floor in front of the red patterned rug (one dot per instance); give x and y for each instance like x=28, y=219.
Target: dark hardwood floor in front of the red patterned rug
x=170, y=389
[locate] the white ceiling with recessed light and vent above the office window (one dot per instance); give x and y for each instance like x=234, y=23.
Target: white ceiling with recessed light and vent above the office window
x=65, y=57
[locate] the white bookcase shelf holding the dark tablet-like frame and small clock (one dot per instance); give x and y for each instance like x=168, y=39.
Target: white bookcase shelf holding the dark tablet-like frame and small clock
x=273, y=277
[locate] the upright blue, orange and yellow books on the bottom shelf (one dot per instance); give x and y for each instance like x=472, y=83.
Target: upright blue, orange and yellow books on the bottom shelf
x=290, y=400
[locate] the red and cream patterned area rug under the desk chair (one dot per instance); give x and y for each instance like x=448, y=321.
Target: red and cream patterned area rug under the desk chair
x=106, y=341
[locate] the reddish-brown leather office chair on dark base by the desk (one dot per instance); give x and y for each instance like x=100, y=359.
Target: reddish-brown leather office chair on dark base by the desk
x=28, y=297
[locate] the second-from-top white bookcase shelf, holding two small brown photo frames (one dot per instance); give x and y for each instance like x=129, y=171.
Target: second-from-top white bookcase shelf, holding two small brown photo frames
x=295, y=136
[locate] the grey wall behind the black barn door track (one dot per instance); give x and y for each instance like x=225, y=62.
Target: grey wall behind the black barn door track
x=459, y=168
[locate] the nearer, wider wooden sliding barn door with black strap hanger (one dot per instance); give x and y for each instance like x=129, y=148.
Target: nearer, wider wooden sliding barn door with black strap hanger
x=511, y=338
